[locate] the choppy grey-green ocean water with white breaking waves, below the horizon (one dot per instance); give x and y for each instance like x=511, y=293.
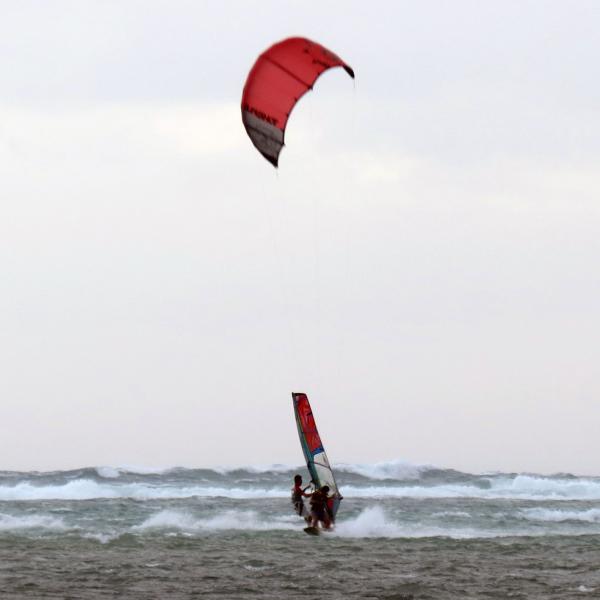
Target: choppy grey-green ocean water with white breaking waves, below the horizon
x=403, y=532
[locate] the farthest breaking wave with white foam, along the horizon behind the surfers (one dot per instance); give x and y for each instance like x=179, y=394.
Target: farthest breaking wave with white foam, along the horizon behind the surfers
x=104, y=482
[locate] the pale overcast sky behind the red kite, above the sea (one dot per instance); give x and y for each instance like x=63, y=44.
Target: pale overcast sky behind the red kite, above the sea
x=425, y=263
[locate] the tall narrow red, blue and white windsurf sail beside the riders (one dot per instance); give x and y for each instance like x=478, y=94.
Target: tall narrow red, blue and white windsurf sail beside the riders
x=314, y=452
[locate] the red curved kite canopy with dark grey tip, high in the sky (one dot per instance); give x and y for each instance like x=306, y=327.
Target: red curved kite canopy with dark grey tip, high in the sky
x=279, y=78
